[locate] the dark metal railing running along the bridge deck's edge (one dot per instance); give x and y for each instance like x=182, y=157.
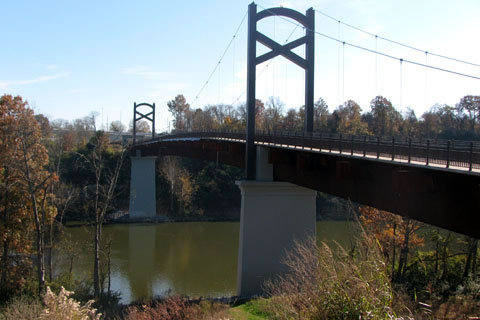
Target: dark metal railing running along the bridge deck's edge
x=446, y=153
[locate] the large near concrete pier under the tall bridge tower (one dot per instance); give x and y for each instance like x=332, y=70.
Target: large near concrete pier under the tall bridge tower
x=273, y=215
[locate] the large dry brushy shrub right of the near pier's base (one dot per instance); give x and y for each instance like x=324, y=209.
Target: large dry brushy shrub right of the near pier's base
x=331, y=284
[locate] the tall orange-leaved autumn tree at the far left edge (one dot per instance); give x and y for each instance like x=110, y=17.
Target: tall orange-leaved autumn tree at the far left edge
x=26, y=199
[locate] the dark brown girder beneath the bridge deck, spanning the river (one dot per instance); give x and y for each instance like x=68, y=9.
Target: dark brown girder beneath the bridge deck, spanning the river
x=439, y=197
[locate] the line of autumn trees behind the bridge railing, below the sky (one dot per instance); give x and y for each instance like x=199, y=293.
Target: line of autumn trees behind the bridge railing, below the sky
x=461, y=121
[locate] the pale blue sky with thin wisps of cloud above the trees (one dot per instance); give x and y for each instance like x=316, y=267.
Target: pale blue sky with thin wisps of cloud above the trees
x=68, y=58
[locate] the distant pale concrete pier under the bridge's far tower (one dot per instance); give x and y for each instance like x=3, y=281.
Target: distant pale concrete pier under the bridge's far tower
x=142, y=187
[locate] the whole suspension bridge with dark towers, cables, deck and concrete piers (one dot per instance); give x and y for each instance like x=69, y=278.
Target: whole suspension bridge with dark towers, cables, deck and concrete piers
x=430, y=180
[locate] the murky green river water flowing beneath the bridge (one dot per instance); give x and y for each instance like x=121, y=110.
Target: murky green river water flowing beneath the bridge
x=191, y=258
